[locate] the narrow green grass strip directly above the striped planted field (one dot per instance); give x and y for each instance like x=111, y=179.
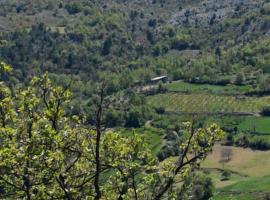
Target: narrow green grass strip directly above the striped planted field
x=180, y=86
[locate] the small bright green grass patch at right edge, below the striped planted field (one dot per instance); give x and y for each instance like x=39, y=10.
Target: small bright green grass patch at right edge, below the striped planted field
x=255, y=124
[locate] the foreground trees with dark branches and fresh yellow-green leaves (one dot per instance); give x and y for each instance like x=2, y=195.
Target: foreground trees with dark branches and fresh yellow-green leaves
x=47, y=154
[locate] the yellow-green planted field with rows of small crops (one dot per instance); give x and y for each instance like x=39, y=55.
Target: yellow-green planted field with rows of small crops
x=208, y=103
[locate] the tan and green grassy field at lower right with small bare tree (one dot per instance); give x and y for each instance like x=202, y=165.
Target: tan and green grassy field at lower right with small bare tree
x=250, y=177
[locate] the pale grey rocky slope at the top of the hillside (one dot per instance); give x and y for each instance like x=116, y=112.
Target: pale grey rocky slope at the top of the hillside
x=208, y=12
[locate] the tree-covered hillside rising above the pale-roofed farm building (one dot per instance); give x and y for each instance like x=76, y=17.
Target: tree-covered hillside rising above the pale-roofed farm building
x=152, y=40
